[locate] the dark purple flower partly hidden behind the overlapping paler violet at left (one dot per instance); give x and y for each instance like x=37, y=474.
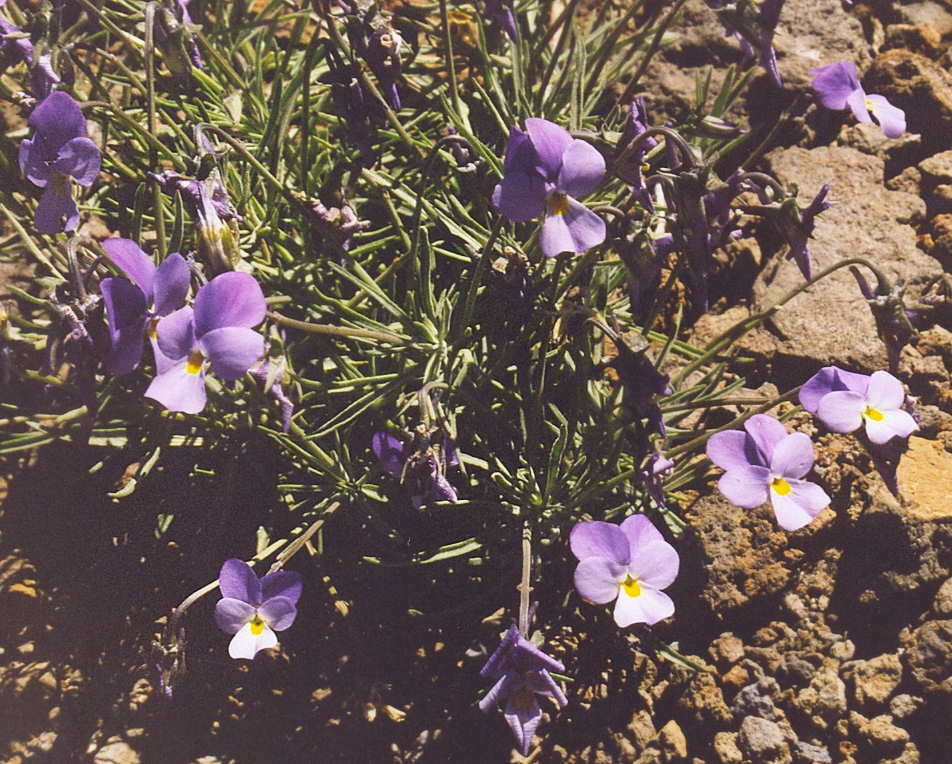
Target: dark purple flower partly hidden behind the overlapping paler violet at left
x=128, y=301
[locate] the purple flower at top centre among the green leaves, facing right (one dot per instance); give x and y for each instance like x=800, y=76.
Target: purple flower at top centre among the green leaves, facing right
x=545, y=169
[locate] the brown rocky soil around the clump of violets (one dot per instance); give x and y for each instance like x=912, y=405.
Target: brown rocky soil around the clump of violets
x=833, y=644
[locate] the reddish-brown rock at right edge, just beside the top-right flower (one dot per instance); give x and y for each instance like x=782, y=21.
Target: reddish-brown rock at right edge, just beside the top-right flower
x=918, y=85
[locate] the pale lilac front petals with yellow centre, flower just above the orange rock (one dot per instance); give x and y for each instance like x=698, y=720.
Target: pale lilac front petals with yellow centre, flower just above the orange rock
x=878, y=407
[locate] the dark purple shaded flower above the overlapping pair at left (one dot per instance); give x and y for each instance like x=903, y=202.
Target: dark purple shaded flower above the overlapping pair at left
x=58, y=152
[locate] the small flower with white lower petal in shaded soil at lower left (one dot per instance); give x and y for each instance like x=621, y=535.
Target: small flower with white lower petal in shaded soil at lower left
x=254, y=608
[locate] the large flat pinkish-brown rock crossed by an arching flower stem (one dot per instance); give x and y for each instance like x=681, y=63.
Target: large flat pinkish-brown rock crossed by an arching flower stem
x=864, y=219
